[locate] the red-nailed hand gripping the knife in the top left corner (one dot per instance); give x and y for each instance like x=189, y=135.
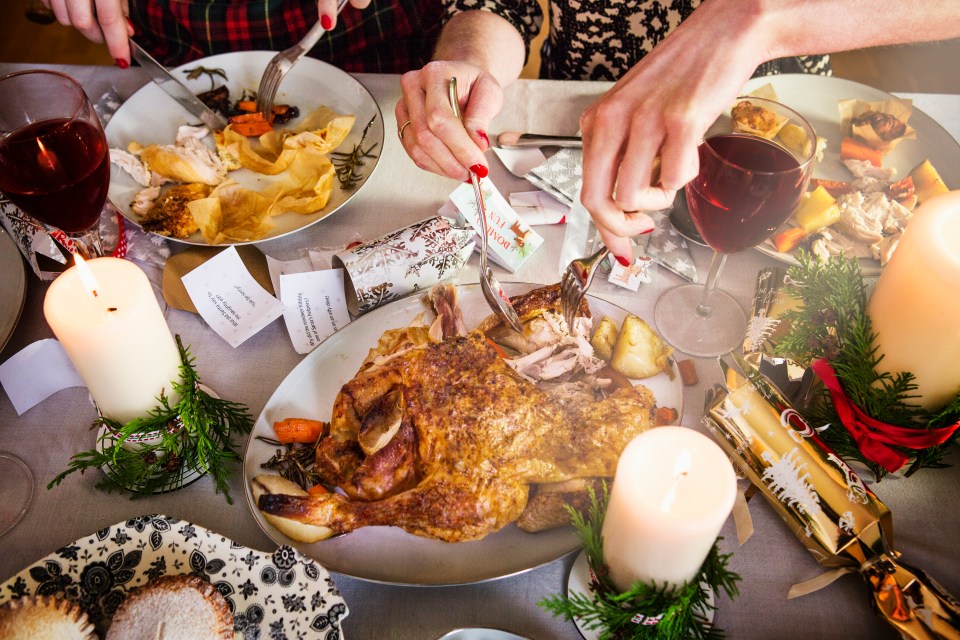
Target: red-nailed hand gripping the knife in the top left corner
x=99, y=21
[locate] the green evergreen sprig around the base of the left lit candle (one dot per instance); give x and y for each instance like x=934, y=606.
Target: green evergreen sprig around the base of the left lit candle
x=195, y=436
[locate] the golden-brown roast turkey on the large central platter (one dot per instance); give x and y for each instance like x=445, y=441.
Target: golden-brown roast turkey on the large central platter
x=445, y=439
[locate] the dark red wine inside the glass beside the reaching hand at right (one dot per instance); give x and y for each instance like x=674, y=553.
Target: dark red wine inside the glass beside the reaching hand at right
x=747, y=187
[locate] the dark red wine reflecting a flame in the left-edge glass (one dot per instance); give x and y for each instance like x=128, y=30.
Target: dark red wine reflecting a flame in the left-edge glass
x=58, y=171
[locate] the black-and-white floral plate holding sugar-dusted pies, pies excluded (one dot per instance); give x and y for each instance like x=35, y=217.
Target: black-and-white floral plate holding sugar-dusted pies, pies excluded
x=283, y=594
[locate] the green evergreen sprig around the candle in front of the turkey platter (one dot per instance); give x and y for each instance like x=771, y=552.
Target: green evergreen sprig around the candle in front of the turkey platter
x=613, y=613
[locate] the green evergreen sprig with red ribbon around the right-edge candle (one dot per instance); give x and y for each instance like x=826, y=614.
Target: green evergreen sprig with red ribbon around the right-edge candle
x=833, y=324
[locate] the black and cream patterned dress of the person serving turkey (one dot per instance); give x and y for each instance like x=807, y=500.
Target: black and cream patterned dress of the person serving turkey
x=603, y=39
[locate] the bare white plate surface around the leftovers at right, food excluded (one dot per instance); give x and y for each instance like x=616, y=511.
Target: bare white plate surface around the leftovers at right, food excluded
x=816, y=98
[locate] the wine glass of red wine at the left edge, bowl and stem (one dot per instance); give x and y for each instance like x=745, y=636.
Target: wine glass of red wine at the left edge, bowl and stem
x=54, y=160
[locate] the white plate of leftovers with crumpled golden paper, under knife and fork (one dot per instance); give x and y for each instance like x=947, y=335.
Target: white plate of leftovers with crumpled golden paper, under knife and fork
x=256, y=180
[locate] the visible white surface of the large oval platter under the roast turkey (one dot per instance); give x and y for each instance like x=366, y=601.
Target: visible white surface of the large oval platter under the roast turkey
x=389, y=554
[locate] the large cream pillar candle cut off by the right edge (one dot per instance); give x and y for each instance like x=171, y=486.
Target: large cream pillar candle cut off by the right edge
x=915, y=307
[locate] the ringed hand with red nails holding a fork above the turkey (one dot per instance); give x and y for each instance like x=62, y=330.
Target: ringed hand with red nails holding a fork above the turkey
x=429, y=131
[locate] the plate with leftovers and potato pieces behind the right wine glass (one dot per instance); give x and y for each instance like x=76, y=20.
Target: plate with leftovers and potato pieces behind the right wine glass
x=881, y=157
